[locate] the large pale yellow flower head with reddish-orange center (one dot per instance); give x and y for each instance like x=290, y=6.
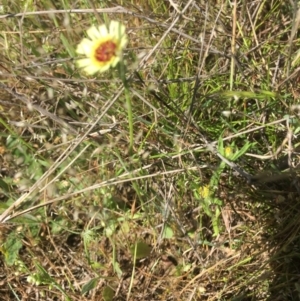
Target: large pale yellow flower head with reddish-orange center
x=103, y=49
